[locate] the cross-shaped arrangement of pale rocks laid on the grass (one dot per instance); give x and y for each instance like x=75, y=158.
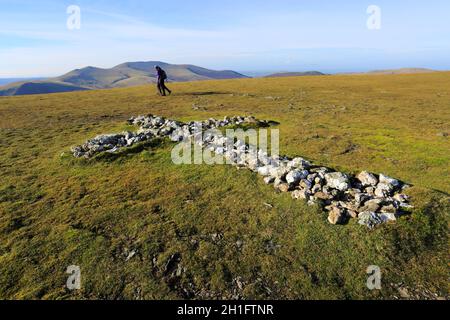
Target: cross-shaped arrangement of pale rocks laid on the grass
x=372, y=199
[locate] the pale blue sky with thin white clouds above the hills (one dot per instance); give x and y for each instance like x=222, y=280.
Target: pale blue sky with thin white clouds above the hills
x=249, y=36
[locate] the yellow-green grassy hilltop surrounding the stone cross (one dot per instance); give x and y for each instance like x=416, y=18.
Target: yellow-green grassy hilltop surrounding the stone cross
x=142, y=228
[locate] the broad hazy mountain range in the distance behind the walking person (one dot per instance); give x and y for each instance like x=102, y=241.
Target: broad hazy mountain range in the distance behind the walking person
x=124, y=75
